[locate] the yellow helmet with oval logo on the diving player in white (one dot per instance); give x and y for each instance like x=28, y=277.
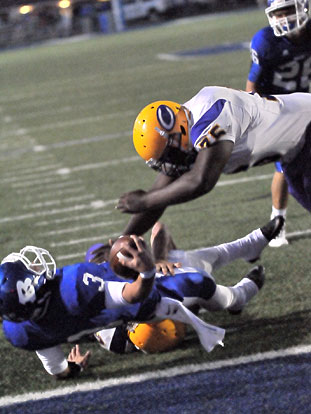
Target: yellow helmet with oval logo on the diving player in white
x=161, y=137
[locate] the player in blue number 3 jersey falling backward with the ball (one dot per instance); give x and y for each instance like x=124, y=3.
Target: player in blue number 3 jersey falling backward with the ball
x=43, y=306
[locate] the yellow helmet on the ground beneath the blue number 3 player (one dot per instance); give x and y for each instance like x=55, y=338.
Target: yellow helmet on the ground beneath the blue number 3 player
x=157, y=337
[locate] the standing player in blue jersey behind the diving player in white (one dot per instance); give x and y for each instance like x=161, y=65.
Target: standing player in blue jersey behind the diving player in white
x=281, y=63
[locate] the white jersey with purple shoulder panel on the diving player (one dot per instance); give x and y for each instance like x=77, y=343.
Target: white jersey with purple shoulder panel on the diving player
x=262, y=129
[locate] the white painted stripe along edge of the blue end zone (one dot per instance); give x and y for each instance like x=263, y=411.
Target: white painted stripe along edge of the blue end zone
x=168, y=373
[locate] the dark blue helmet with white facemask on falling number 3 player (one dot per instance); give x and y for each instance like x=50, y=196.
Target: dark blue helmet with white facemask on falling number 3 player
x=23, y=279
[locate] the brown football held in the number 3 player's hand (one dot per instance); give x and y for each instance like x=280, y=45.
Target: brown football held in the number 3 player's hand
x=116, y=252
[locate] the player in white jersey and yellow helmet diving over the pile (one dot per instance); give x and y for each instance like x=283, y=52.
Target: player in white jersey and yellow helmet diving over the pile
x=220, y=130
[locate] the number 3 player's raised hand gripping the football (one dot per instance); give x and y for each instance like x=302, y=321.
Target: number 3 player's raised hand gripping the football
x=140, y=257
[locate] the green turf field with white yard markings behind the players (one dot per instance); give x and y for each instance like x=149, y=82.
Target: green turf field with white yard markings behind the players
x=66, y=154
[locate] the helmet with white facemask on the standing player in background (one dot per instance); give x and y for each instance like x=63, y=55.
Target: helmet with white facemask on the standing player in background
x=295, y=17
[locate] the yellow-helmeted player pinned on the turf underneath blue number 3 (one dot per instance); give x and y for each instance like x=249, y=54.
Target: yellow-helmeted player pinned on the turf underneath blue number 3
x=166, y=335
